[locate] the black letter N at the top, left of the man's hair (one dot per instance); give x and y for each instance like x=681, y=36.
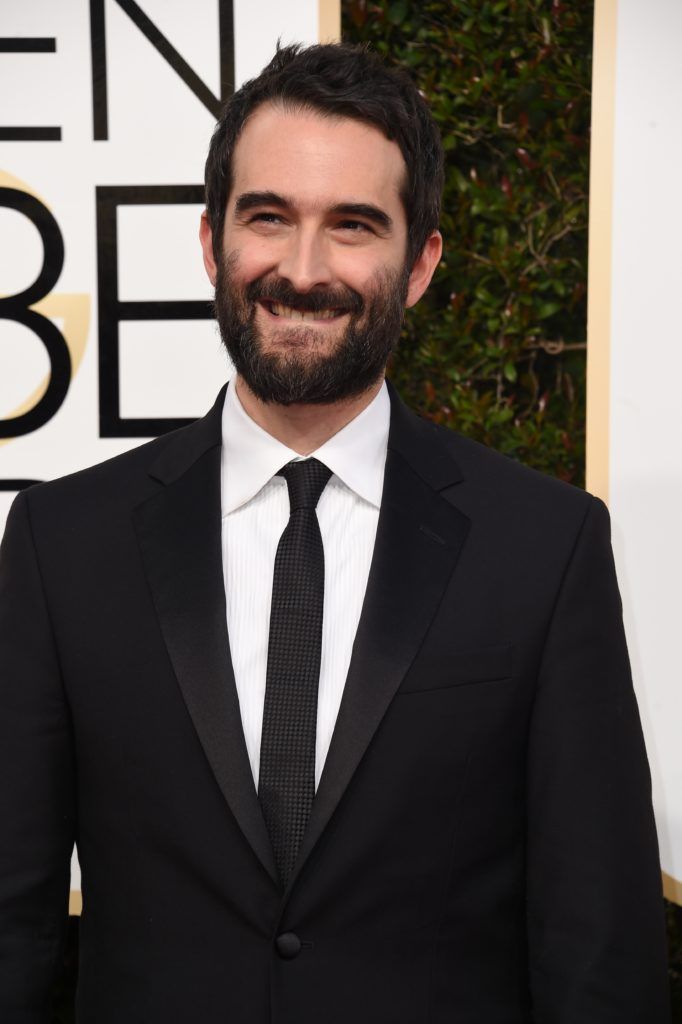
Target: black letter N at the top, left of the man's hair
x=167, y=51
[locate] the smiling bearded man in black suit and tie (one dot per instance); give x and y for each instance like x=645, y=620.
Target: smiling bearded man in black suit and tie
x=335, y=703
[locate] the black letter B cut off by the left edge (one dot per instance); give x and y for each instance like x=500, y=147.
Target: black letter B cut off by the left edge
x=16, y=308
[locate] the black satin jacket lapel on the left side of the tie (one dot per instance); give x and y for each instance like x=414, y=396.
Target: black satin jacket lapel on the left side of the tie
x=180, y=533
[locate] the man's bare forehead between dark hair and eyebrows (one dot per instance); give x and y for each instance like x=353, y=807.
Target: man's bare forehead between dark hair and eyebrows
x=319, y=160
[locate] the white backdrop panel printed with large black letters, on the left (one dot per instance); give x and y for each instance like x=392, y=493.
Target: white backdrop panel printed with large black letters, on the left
x=158, y=132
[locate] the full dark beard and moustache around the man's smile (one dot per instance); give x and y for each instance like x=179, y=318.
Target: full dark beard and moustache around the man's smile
x=302, y=370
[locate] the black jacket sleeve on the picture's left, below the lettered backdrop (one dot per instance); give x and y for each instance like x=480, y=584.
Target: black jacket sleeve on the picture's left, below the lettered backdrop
x=37, y=792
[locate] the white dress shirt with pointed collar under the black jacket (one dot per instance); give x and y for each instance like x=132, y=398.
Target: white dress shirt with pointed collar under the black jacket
x=255, y=513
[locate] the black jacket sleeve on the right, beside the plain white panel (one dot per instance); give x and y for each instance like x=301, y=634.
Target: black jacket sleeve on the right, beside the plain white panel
x=598, y=947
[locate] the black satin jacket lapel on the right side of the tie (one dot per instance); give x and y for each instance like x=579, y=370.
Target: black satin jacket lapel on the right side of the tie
x=419, y=539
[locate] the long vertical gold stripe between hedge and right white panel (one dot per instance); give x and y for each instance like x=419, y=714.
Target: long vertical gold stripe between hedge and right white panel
x=600, y=262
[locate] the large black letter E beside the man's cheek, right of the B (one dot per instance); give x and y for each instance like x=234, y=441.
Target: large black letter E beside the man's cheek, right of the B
x=113, y=311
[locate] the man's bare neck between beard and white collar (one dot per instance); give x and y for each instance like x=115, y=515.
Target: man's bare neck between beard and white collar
x=304, y=429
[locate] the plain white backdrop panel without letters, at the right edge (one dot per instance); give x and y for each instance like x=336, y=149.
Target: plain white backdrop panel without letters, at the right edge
x=646, y=457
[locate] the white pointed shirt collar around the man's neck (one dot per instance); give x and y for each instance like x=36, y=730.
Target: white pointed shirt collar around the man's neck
x=251, y=457
